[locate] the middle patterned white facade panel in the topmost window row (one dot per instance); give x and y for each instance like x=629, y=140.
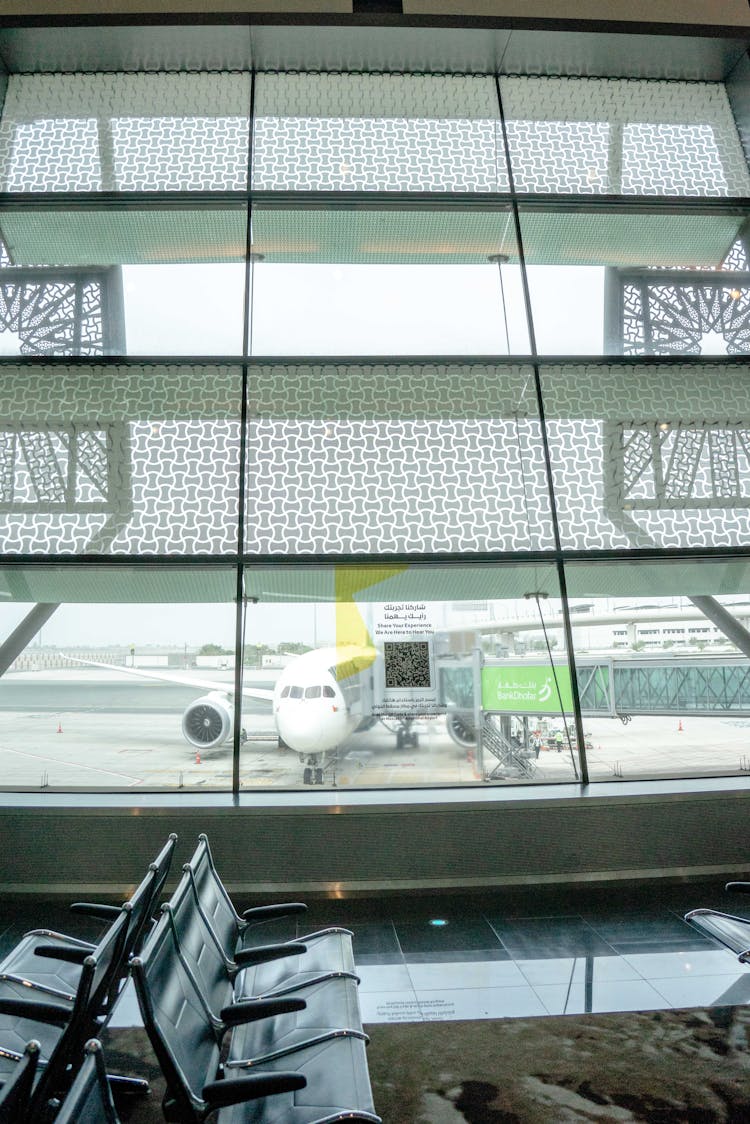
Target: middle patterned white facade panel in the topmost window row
x=377, y=133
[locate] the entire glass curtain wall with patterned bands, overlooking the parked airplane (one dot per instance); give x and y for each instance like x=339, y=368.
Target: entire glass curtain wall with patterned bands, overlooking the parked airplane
x=372, y=430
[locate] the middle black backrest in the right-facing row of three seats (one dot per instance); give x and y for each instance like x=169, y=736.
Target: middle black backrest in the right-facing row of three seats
x=198, y=947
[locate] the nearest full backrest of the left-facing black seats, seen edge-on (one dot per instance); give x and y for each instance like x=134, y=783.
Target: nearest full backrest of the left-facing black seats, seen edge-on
x=85, y=1017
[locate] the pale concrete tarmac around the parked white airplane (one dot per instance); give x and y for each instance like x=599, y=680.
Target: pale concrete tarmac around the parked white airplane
x=94, y=729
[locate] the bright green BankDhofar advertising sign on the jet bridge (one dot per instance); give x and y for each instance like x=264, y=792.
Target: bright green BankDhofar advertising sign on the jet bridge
x=522, y=688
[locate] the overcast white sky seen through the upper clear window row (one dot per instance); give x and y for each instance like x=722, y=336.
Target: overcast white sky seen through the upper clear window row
x=362, y=310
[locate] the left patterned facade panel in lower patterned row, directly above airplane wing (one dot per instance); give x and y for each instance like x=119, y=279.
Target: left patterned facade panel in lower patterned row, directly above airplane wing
x=120, y=460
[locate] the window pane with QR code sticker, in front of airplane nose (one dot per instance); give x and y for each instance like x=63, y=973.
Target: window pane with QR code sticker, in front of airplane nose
x=413, y=660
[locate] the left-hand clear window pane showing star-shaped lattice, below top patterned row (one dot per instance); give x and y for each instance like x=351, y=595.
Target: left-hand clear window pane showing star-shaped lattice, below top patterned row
x=142, y=282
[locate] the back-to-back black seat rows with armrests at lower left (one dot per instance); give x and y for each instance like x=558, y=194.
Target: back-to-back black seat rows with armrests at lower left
x=247, y=1031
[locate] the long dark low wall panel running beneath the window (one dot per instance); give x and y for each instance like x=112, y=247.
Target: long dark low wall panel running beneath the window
x=369, y=849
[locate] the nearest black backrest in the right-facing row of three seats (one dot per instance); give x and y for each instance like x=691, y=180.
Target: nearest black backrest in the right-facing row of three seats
x=177, y=1022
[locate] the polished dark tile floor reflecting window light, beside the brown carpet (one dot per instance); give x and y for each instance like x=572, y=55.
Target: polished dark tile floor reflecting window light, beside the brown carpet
x=507, y=955
